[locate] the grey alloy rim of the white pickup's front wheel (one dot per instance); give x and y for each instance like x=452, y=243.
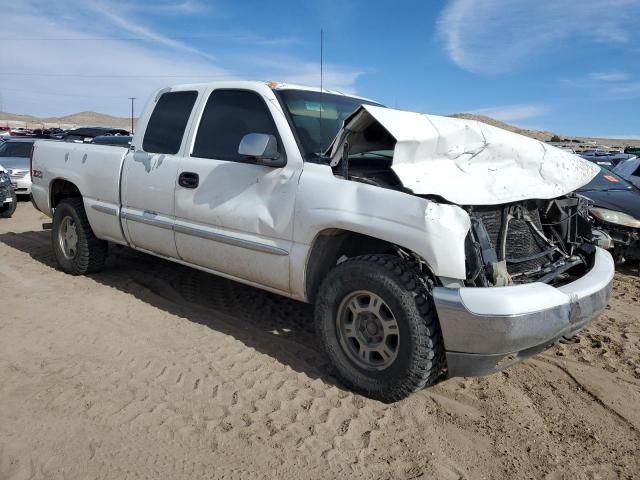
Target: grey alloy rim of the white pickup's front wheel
x=368, y=331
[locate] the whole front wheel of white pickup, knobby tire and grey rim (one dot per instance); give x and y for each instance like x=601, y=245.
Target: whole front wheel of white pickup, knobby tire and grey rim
x=376, y=321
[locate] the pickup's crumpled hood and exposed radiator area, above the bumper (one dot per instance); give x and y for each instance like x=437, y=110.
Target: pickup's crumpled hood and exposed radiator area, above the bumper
x=527, y=225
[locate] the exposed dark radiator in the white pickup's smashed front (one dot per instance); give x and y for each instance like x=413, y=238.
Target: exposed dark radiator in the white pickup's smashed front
x=521, y=241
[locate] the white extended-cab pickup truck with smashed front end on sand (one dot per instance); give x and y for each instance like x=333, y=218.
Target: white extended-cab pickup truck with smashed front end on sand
x=431, y=247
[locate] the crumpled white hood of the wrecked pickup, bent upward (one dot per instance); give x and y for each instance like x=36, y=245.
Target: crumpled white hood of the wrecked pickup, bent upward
x=464, y=161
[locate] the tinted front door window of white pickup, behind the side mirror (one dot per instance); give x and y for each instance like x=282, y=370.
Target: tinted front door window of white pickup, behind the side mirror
x=228, y=116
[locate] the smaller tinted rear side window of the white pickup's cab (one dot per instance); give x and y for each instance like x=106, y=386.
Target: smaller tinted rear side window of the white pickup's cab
x=168, y=121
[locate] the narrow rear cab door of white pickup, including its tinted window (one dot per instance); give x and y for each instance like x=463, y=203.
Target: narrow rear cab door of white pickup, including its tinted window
x=149, y=176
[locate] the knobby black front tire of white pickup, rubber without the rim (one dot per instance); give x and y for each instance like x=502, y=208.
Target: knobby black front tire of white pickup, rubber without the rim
x=420, y=353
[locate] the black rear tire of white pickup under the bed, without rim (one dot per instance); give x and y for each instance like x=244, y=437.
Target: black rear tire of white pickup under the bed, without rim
x=90, y=252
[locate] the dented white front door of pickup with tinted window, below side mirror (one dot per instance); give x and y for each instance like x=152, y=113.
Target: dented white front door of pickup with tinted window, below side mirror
x=237, y=220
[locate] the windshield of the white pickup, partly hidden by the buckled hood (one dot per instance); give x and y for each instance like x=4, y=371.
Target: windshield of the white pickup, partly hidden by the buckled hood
x=306, y=109
